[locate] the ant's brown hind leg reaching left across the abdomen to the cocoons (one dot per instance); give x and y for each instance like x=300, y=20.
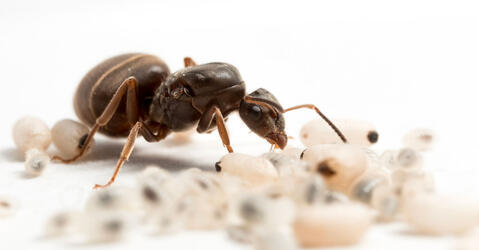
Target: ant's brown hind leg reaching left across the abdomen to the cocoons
x=130, y=85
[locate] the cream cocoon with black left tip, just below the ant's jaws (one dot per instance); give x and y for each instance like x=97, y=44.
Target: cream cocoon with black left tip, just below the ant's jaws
x=255, y=170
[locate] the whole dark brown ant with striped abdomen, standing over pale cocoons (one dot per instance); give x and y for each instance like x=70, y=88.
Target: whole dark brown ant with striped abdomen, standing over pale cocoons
x=135, y=94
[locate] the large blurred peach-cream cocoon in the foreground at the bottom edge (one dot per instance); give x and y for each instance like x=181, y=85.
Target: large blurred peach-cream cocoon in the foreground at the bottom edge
x=331, y=225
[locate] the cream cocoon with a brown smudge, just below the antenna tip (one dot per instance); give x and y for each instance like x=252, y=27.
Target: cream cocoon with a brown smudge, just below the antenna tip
x=339, y=165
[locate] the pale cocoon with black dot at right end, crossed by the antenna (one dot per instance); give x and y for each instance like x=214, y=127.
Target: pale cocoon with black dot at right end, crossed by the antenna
x=356, y=132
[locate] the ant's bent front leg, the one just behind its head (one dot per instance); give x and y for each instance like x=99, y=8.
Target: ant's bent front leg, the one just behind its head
x=205, y=123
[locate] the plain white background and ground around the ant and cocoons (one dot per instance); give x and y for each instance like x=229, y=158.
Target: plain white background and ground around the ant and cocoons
x=400, y=65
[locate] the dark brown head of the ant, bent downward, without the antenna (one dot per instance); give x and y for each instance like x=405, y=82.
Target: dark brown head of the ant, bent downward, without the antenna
x=263, y=114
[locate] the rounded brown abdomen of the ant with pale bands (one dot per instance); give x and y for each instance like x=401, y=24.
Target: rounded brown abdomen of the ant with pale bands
x=99, y=85
